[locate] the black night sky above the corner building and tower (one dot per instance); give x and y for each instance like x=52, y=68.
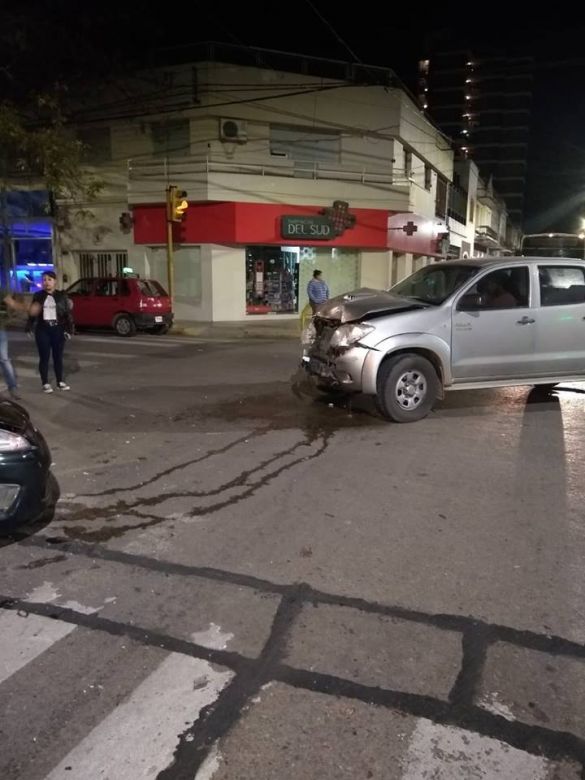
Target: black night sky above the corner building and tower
x=102, y=35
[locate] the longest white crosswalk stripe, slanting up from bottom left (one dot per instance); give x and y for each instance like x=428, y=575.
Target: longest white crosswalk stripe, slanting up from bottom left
x=138, y=739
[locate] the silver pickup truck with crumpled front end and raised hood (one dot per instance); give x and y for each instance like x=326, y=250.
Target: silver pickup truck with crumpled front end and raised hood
x=456, y=325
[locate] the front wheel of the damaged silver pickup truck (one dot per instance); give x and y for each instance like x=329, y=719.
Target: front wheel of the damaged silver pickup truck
x=408, y=387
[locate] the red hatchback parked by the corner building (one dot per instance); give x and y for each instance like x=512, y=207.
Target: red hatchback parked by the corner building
x=124, y=304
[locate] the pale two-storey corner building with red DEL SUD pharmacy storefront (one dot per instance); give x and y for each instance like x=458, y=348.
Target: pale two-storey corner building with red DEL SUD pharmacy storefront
x=288, y=166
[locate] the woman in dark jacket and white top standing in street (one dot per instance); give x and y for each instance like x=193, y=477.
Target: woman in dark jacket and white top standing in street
x=50, y=319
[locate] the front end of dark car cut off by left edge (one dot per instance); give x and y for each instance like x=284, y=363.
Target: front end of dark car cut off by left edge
x=28, y=489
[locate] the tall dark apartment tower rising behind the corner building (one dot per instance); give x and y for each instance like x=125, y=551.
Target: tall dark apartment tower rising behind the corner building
x=483, y=103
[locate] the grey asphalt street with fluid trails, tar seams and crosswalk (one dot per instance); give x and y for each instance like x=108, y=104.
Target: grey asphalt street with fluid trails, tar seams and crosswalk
x=243, y=582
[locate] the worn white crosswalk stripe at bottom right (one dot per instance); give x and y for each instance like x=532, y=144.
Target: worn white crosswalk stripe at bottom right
x=445, y=752
